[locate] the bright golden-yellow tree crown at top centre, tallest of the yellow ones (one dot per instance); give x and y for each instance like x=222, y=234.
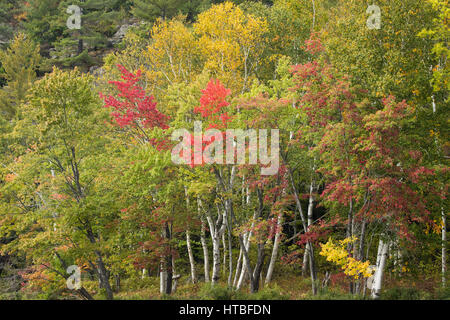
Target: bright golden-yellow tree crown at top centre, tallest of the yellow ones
x=231, y=43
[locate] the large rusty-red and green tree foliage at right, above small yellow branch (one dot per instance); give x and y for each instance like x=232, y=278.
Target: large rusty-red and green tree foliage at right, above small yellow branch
x=367, y=153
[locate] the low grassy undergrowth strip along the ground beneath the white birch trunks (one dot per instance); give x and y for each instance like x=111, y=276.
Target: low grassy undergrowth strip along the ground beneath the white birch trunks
x=286, y=286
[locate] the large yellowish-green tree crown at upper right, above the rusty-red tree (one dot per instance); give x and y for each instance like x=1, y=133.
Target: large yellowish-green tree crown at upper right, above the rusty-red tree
x=391, y=60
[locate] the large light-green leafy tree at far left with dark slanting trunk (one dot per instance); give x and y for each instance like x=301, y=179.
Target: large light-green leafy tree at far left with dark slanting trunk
x=63, y=123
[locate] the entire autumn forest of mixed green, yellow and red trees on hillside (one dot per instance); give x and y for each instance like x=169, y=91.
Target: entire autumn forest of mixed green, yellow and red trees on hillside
x=356, y=210
